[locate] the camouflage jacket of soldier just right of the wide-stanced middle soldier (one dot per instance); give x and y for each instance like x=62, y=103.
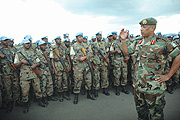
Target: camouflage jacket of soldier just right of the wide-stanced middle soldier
x=99, y=46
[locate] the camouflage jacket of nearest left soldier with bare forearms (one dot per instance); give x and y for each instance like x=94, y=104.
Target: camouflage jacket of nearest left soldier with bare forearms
x=26, y=72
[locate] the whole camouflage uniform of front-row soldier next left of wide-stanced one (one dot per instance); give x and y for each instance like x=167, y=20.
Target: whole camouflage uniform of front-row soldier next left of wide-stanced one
x=61, y=82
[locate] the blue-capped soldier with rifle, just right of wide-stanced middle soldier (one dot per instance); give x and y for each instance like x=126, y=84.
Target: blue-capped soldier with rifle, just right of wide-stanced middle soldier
x=101, y=71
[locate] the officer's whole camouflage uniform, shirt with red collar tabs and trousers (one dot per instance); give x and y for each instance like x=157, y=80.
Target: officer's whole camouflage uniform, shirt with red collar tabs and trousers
x=150, y=58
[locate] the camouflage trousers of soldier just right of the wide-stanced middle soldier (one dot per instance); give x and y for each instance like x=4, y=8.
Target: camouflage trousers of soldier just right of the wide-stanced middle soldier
x=101, y=75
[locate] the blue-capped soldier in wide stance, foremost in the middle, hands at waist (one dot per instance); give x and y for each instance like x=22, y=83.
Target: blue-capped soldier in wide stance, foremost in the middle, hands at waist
x=81, y=69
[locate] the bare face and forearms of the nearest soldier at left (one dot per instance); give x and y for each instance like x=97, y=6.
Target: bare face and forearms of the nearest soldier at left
x=23, y=61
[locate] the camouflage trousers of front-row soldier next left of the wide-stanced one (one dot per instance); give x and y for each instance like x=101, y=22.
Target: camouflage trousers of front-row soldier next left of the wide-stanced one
x=61, y=81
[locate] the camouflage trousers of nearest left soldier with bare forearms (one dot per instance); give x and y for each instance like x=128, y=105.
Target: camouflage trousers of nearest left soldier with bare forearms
x=25, y=87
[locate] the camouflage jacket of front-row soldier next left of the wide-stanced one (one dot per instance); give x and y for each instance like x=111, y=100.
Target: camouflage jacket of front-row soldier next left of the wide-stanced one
x=63, y=53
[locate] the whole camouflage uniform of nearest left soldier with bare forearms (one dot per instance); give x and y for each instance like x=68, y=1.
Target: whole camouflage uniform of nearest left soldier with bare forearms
x=27, y=75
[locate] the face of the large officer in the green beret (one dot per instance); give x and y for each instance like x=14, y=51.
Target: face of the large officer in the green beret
x=147, y=30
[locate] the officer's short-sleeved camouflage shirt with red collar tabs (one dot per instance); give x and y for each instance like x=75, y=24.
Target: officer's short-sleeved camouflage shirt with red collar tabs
x=150, y=58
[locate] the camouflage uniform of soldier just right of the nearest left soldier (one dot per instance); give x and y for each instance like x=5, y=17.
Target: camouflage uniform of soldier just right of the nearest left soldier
x=46, y=80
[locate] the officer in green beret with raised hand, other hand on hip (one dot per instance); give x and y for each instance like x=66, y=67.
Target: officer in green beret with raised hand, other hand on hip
x=149, y=82
